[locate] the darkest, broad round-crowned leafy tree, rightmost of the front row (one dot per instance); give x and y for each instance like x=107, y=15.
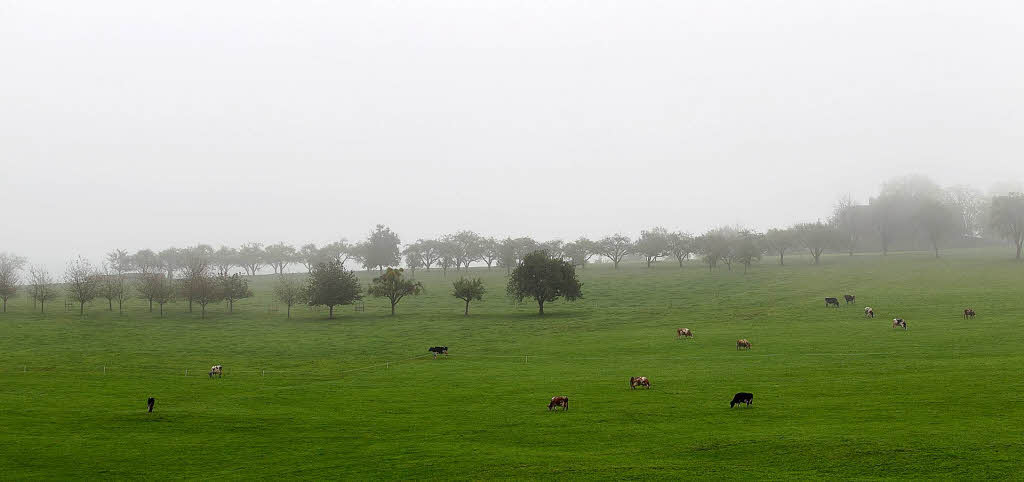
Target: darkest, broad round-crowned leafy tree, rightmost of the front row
x=545, y=280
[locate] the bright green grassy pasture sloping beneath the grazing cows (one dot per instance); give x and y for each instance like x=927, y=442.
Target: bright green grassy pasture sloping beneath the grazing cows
x=836, y=396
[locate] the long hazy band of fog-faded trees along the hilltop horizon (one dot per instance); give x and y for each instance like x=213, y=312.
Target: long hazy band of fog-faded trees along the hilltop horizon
x=909, y=213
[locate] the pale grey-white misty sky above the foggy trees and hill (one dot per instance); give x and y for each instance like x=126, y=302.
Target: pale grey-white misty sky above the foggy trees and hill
x=153, y=124
